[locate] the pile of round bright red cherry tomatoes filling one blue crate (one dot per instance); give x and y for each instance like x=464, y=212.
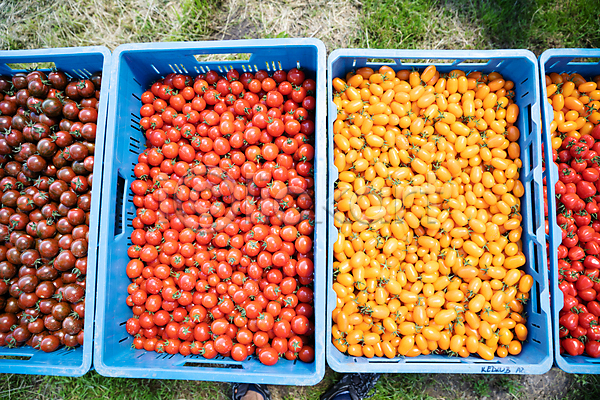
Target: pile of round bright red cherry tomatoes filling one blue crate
x=221, y=254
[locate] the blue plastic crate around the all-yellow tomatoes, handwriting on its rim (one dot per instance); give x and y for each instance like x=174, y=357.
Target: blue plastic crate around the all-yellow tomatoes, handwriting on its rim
x=519, y=66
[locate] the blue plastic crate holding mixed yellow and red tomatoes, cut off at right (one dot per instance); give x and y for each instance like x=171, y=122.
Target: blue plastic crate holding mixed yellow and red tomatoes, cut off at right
x=560, y=60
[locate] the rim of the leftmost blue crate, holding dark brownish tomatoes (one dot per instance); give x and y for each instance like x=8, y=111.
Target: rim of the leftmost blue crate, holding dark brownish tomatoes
x=85, y=351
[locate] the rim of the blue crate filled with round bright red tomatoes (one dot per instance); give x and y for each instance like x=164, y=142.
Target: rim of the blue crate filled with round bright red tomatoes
x=109, y=176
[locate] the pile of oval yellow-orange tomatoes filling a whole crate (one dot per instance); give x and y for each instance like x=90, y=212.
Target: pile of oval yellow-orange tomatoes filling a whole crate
x=428, y=256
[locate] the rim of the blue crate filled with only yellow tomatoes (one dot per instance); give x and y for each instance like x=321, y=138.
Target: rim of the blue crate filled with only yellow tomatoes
x=427, y=366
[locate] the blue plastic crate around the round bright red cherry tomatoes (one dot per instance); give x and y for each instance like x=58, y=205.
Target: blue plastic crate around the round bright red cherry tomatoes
x=136, y=67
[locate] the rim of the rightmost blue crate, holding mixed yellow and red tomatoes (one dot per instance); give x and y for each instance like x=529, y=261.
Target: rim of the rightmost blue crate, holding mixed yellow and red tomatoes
x=580, y=364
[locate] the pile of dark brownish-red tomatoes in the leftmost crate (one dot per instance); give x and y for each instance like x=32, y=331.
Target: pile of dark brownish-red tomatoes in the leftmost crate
x=48, y=125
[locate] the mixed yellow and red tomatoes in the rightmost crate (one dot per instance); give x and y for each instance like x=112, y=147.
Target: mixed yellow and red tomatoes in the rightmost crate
x=575, y=133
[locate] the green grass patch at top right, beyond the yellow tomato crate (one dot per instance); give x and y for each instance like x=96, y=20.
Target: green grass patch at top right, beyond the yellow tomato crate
x=479, y=24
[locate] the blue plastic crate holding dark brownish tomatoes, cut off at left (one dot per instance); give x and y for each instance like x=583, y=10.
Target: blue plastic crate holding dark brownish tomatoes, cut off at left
x=78, y=62
